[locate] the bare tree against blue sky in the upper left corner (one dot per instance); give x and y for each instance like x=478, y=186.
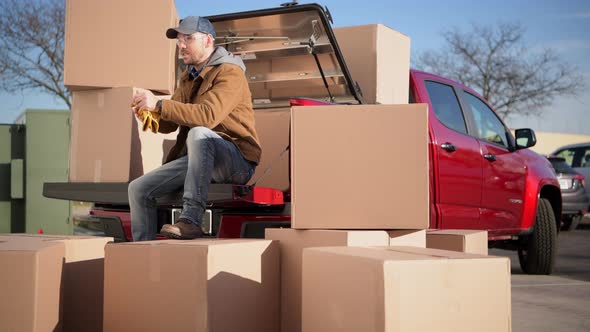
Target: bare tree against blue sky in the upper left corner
x=32, y=46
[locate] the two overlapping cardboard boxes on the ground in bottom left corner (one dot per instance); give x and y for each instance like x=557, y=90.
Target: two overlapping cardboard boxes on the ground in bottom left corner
x=52, y=282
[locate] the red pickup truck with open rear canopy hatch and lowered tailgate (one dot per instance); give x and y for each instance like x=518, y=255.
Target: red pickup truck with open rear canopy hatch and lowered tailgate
x=482, y=177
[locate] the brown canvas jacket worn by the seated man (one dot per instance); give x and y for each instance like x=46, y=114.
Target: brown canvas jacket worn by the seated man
x=219, y=99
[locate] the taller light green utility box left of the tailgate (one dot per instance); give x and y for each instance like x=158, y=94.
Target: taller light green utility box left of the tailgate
x=47, y=152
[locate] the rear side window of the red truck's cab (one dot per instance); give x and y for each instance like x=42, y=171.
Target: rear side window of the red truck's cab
x=446, y=106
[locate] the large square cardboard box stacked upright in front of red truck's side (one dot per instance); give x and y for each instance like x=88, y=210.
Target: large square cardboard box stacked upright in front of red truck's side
x=349, y=167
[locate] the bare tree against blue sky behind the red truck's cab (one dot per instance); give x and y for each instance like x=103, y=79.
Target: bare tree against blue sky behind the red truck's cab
x=514, y=79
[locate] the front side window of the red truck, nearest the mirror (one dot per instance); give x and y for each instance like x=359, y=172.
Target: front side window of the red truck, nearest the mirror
x=488, y=125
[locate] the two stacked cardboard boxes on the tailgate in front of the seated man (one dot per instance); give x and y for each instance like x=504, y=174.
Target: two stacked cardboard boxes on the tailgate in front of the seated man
x=109, y=54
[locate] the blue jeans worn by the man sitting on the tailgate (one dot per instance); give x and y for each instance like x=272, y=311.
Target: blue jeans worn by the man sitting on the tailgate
x=209, y=158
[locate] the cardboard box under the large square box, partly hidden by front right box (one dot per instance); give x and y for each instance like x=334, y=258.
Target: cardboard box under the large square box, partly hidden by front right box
x=292, y=242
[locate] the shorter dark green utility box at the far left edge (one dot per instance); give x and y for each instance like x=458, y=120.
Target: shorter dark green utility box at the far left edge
x=12, y=154
